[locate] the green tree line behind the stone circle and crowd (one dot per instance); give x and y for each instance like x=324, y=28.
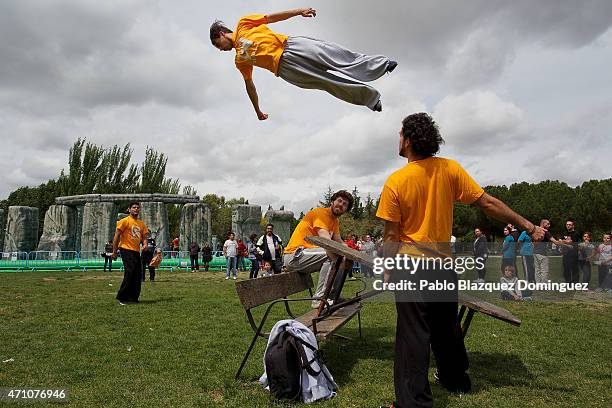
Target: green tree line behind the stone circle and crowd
x=95, y=169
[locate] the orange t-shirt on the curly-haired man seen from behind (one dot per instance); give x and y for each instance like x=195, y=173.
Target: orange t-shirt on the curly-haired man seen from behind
x=420, y=196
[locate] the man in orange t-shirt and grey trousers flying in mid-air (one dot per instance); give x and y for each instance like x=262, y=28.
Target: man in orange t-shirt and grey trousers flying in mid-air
x=302, y=61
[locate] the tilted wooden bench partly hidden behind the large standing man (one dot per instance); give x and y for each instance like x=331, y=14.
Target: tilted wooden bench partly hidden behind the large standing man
x=468, y=303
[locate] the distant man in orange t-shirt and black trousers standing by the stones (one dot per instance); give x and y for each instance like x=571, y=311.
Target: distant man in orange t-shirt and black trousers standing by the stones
x=130, y=234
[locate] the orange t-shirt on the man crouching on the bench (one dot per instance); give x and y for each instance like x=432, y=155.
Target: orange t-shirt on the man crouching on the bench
x=319, y=218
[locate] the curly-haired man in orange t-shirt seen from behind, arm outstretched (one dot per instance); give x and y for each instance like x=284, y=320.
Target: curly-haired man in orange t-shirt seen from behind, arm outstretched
x=417, y=206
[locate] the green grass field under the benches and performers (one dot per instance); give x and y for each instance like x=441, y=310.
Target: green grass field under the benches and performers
x=181, y=345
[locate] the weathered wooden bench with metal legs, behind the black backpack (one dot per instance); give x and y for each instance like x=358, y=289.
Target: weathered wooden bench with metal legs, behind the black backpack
x=276, y=289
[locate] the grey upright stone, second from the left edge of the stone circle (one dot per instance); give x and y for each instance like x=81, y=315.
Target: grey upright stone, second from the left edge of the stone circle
x=59, y=229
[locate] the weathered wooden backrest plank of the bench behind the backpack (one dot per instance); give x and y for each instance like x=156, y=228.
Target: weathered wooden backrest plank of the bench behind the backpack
x=255, y=292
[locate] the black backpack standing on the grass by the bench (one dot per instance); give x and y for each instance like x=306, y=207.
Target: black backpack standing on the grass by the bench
x=285, y=359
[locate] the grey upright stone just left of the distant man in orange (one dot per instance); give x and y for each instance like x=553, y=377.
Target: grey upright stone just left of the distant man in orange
x=98, y=226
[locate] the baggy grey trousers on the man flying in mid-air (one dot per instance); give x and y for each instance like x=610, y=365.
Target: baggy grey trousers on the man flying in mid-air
x=306, y=61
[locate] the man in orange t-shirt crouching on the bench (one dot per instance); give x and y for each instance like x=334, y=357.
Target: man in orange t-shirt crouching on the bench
x=304, y=257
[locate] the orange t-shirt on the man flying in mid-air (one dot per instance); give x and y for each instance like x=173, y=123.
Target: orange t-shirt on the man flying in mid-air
x=257, y=45
